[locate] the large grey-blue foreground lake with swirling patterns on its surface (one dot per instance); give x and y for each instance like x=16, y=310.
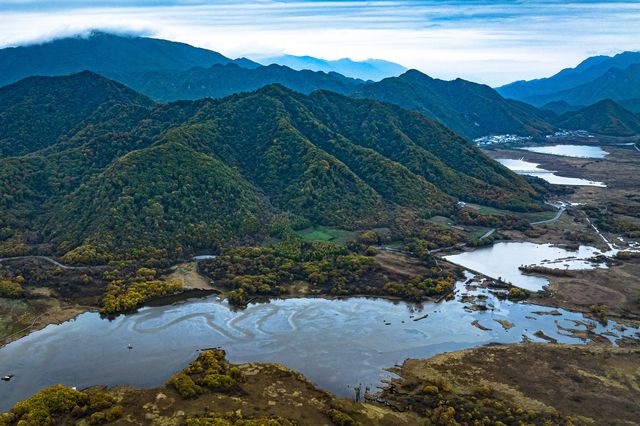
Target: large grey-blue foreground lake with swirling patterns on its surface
x=335, y=343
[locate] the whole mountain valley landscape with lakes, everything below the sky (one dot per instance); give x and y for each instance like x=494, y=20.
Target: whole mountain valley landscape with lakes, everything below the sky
x=190, y=239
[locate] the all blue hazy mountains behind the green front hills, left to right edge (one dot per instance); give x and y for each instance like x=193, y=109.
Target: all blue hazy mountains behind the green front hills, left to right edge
x=167, y=71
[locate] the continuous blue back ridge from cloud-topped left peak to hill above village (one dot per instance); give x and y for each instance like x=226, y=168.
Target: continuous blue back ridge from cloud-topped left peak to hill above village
x=471, y=109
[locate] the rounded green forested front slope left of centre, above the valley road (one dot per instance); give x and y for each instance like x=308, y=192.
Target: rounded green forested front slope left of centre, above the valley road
x=168, y=196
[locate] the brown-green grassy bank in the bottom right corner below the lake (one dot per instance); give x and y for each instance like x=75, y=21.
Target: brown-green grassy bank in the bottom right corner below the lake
x=585, y=385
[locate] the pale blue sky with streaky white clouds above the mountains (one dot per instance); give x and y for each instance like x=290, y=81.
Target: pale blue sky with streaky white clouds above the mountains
x=492, y=42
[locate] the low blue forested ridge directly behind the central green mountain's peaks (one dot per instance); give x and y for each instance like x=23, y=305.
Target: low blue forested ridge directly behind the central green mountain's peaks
x=222, y=80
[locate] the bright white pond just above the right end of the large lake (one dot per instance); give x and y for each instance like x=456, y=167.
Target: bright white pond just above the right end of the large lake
x=502, y=260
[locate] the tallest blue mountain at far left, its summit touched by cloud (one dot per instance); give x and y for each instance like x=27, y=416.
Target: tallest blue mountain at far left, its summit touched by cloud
x=104, y=53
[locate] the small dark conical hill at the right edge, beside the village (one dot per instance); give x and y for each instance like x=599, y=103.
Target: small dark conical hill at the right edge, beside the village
x=605, y=117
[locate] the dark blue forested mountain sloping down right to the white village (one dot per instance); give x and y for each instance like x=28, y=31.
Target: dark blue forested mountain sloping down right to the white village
x=470, y=109
